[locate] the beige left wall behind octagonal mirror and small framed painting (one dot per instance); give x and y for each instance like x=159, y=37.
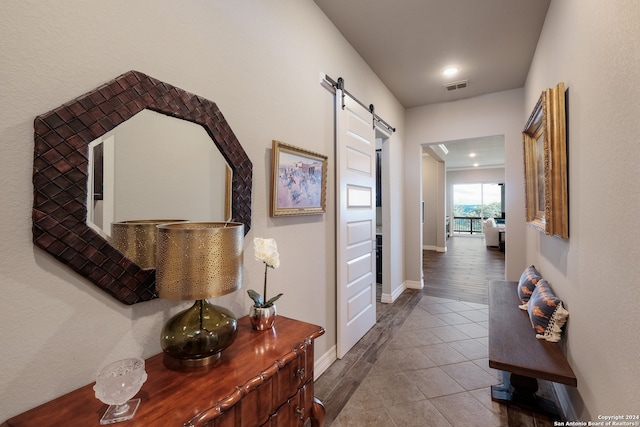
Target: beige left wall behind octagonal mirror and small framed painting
x=260, y=62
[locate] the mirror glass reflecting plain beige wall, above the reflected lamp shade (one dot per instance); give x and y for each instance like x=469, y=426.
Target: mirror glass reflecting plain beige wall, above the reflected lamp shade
x=155, y=166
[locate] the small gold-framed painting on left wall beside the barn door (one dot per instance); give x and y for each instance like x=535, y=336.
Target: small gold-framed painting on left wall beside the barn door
x=298, y=181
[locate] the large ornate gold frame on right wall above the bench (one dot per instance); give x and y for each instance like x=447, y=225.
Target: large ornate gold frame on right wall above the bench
x=545, y=164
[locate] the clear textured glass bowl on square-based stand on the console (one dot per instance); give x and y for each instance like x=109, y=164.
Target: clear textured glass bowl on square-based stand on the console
x=116, y=384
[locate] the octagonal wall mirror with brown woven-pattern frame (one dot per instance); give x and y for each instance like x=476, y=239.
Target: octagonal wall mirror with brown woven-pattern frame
x=66, y=187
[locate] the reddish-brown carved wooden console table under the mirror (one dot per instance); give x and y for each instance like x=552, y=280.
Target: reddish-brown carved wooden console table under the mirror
x=265, y=378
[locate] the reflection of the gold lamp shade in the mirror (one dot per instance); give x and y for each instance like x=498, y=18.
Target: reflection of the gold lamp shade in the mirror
x=136, y=239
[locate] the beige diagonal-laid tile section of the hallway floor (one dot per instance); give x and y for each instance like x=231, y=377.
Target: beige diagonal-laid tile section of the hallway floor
x=433, y=372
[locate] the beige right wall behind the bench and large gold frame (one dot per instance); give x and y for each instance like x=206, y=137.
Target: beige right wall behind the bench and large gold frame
x=592, y=47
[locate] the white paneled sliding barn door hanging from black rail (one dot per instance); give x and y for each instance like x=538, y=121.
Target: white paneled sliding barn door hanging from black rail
x=356, y=238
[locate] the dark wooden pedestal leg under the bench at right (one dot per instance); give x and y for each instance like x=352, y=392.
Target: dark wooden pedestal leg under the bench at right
x=520, y=391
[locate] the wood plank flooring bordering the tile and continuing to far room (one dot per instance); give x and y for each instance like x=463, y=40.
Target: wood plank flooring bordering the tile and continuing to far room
x=462, y=273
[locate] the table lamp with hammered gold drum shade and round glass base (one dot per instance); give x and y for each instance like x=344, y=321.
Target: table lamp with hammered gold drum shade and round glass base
x=196, y=261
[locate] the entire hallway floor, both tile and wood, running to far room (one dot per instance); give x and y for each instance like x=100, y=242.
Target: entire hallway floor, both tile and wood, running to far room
x=425, y=361
